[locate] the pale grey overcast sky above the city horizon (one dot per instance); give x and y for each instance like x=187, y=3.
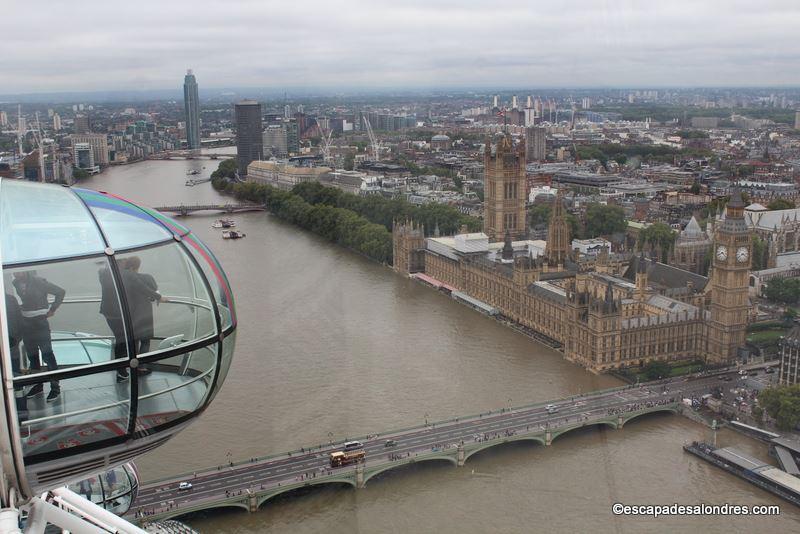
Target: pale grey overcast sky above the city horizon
x=53, y=45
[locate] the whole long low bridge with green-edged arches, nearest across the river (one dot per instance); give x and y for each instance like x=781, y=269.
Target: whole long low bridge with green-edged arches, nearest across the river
x=251, y=483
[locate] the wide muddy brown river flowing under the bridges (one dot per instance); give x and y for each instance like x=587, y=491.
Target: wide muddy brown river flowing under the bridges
x=330, y=343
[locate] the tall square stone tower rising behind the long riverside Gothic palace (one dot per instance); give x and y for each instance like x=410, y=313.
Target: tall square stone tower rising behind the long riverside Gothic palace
x=504, y=190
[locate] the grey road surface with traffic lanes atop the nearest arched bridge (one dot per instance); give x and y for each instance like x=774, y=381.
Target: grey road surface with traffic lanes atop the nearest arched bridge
x=221, y=482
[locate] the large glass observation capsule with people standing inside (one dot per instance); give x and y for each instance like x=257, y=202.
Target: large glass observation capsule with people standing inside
x=119, y=328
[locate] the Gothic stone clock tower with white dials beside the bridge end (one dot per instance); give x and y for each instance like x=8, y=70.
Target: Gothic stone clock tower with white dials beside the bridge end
x=731, y=267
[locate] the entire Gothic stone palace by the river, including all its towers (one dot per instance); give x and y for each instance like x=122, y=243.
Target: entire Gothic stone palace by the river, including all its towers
x=605, y=313
